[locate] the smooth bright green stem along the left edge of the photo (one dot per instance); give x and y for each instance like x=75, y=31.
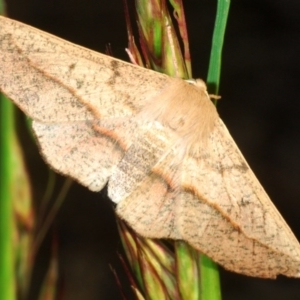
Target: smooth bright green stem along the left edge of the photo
x=7, y=278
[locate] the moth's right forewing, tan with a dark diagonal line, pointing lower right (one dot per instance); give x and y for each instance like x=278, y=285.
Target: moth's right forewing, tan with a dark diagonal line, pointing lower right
x=226, y=213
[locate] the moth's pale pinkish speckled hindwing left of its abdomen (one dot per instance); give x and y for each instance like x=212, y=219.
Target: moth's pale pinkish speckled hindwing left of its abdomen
x=84, y=150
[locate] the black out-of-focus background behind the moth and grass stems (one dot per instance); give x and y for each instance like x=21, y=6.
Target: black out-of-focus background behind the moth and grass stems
x=260, y=106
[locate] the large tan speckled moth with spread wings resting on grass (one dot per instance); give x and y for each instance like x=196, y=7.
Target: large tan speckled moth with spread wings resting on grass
x=170, y=164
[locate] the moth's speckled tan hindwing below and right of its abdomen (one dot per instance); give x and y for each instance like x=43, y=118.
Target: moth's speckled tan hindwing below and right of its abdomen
x=150, y=209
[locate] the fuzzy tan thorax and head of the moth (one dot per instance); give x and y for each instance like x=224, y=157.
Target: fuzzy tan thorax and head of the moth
x=183, y=107
